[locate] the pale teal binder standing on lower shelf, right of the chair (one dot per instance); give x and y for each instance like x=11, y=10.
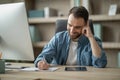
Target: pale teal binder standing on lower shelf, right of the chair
x=98, y=30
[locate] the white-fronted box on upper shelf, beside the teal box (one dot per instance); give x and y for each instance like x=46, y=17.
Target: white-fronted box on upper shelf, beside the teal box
x=50, y=12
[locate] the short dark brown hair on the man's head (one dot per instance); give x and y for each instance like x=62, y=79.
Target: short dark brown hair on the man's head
x=80, y=12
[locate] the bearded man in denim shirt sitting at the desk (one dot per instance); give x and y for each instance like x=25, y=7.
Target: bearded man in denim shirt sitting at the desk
x=76, y=46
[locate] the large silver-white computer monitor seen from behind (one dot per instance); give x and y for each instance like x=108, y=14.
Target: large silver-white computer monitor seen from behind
x=15, y=41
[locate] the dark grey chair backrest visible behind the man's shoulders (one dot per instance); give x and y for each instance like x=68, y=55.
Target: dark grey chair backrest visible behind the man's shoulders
x=61, y=25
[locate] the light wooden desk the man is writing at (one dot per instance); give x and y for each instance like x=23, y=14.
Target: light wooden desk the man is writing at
x=60, y=74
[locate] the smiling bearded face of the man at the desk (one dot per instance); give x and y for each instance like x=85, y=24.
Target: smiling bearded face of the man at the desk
x=75, y=26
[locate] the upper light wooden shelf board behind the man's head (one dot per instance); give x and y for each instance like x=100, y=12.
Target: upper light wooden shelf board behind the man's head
x=93, y=17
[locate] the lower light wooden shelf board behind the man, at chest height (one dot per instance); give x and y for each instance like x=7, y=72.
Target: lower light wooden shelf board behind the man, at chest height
x=106, y=45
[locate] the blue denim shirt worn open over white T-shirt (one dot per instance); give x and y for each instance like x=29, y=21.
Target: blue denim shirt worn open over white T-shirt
x=57, y=50
